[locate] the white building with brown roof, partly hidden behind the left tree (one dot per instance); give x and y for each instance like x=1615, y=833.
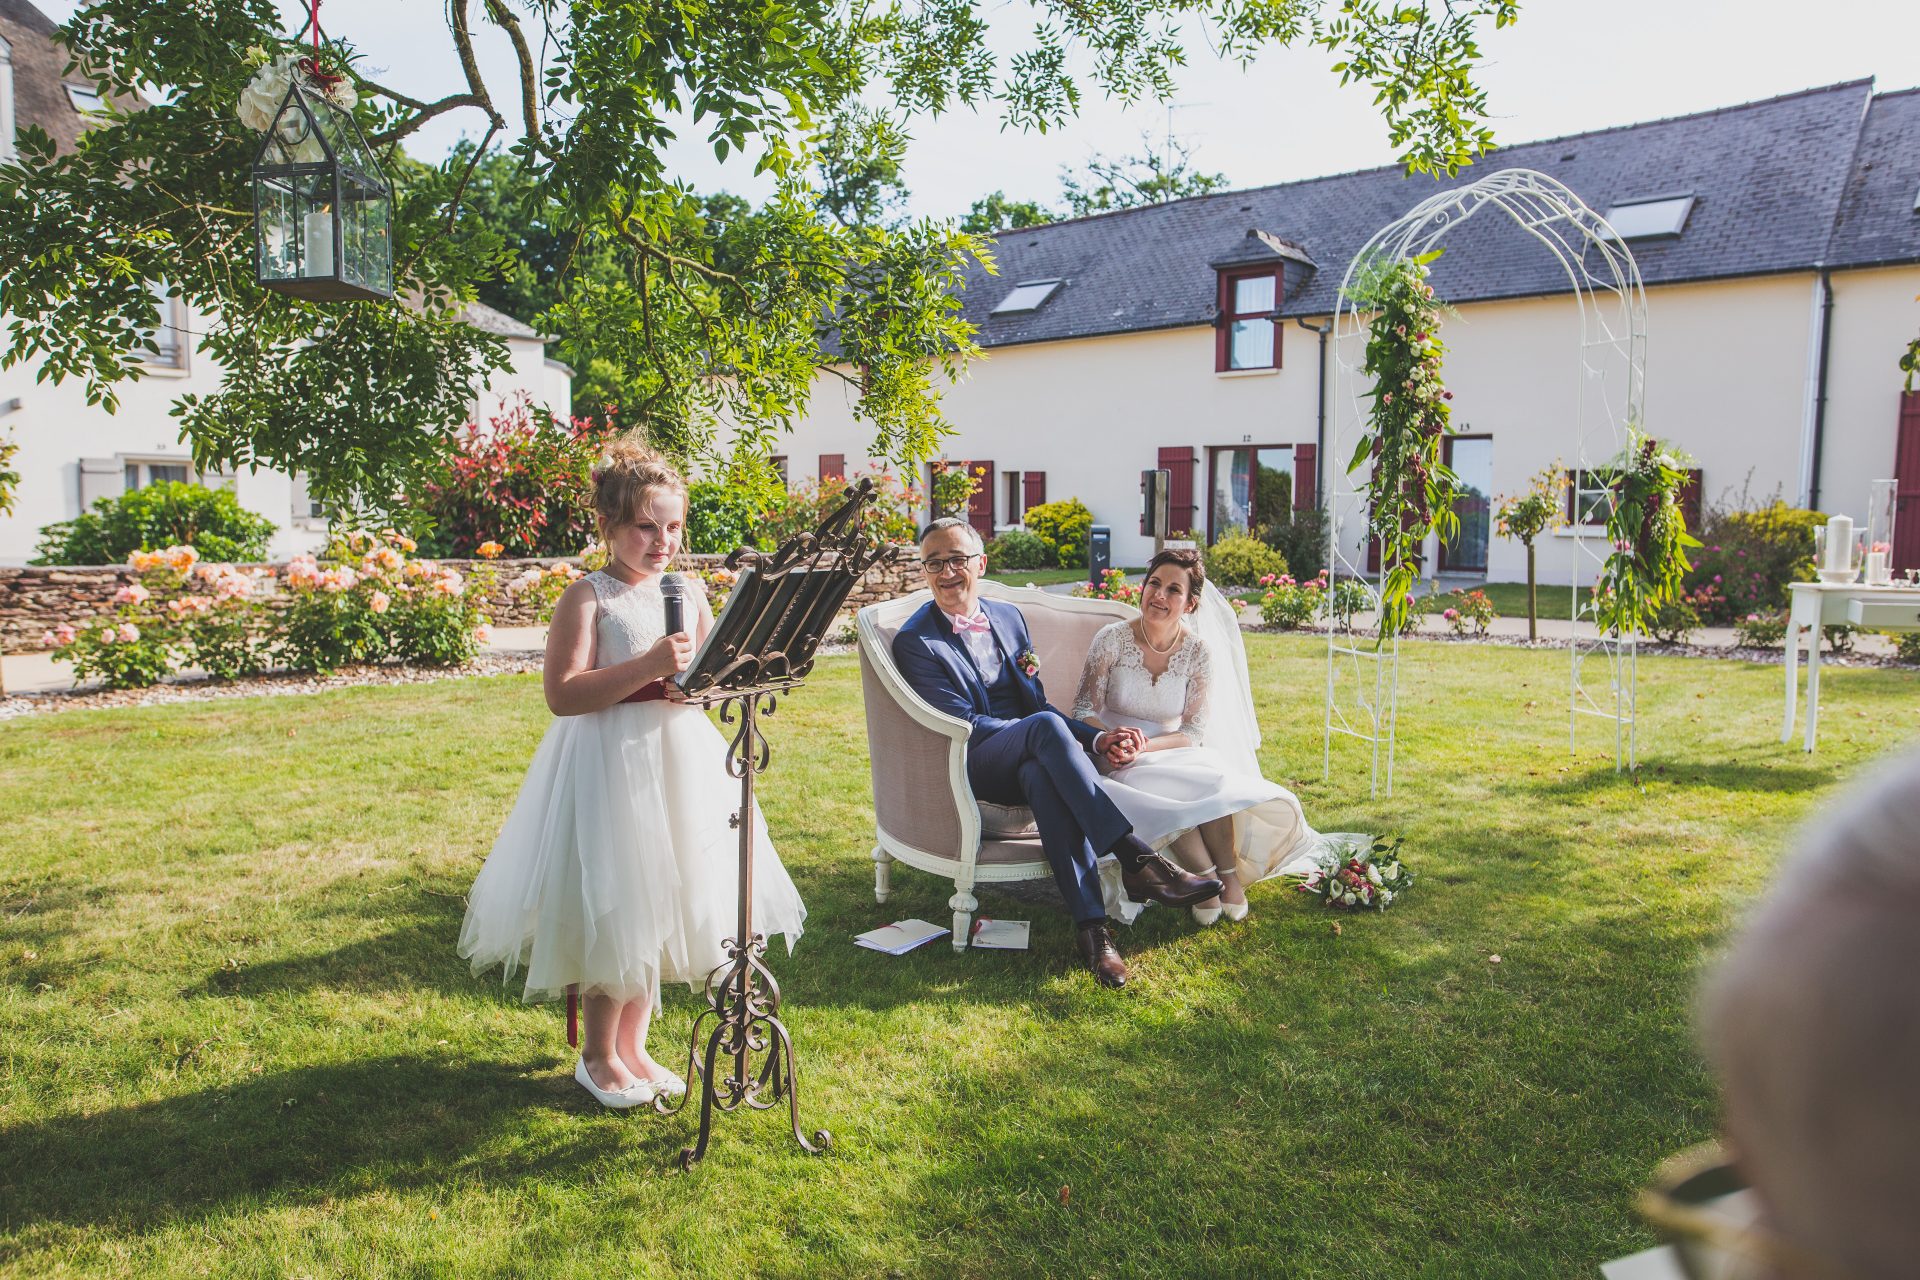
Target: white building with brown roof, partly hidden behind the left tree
x=74, y=454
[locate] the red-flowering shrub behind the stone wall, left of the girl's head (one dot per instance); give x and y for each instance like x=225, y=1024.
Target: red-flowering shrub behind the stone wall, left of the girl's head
x=523, y=481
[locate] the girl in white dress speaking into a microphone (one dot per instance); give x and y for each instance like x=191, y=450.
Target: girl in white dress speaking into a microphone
x=617, y=866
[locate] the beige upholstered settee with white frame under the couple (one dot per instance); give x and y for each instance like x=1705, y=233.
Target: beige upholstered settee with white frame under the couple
x=924, y=809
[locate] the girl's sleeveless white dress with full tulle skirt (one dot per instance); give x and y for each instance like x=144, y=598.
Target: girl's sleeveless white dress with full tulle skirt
x=617, y=868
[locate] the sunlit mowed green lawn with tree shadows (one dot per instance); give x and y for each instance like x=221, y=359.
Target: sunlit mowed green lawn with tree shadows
x=235, y=1037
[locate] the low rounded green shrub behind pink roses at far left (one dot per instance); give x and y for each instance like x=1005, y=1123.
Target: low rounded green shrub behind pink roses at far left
x=162, y=515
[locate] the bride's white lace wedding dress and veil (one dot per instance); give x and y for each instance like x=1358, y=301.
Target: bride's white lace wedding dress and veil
x=1166, y=794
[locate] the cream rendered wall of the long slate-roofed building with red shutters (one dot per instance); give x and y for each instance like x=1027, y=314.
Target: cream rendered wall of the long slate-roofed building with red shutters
x=1725, y=379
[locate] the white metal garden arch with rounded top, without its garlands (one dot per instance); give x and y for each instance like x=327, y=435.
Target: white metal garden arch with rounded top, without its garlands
x=1610, y=379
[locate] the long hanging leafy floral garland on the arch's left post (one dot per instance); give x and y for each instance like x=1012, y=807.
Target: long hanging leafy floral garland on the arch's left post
x=1410, y=490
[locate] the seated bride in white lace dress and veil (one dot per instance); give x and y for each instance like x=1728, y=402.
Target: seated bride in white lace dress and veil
x=1188, y=774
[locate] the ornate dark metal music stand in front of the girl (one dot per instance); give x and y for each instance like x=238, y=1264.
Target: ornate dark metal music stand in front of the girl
x=759, y=650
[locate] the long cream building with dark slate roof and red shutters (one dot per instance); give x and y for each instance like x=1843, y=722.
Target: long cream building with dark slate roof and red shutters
x=1781, y=250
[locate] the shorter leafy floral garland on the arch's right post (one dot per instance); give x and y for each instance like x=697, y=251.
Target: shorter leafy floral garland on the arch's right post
x=1646, y=536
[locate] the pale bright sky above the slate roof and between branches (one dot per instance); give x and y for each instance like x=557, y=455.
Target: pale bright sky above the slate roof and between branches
x=1568, y=66
